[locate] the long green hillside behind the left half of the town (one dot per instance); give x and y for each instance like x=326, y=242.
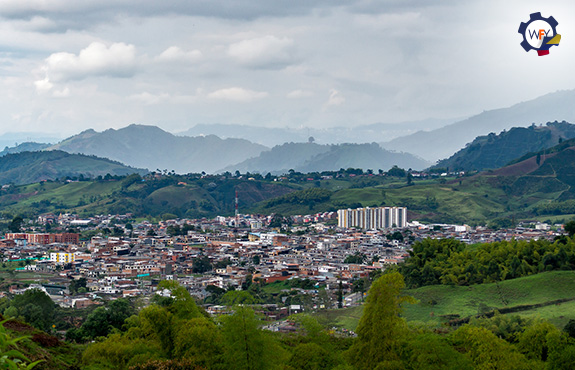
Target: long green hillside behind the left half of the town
x=183, y=196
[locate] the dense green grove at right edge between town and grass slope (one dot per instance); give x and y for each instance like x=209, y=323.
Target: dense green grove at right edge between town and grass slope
x=451, y=262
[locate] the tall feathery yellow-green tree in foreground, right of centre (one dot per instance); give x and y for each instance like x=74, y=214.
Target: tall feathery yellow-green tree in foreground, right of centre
x=381, y=331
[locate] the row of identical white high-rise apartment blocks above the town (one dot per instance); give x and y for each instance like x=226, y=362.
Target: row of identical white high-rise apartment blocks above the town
x=372, y=218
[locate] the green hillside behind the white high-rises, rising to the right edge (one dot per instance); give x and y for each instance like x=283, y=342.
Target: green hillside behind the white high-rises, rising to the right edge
x=525, y=190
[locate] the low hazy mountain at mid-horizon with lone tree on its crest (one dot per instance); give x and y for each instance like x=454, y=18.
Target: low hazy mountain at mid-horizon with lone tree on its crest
x=311, y=157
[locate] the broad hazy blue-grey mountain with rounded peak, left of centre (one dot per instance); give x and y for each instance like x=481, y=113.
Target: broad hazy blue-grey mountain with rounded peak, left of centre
x=151, y=147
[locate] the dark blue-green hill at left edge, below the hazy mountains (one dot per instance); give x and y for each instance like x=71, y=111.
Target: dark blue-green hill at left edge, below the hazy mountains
x=29, y=167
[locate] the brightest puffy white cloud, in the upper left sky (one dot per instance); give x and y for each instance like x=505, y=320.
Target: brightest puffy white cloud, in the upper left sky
x=117, y=60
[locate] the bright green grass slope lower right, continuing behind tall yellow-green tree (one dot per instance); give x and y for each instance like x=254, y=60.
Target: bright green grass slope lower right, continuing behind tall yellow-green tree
x=438, y=301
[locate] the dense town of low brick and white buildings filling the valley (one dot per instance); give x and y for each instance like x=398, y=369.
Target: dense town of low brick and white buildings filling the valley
x=128, y=259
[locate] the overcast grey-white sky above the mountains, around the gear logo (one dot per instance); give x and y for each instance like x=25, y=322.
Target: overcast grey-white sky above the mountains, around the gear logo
x=66, y=66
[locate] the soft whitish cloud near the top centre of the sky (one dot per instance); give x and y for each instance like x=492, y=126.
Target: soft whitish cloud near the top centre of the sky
x=263, y=52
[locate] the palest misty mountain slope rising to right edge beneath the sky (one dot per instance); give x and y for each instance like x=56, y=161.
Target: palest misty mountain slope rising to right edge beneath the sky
x=445, y=141
